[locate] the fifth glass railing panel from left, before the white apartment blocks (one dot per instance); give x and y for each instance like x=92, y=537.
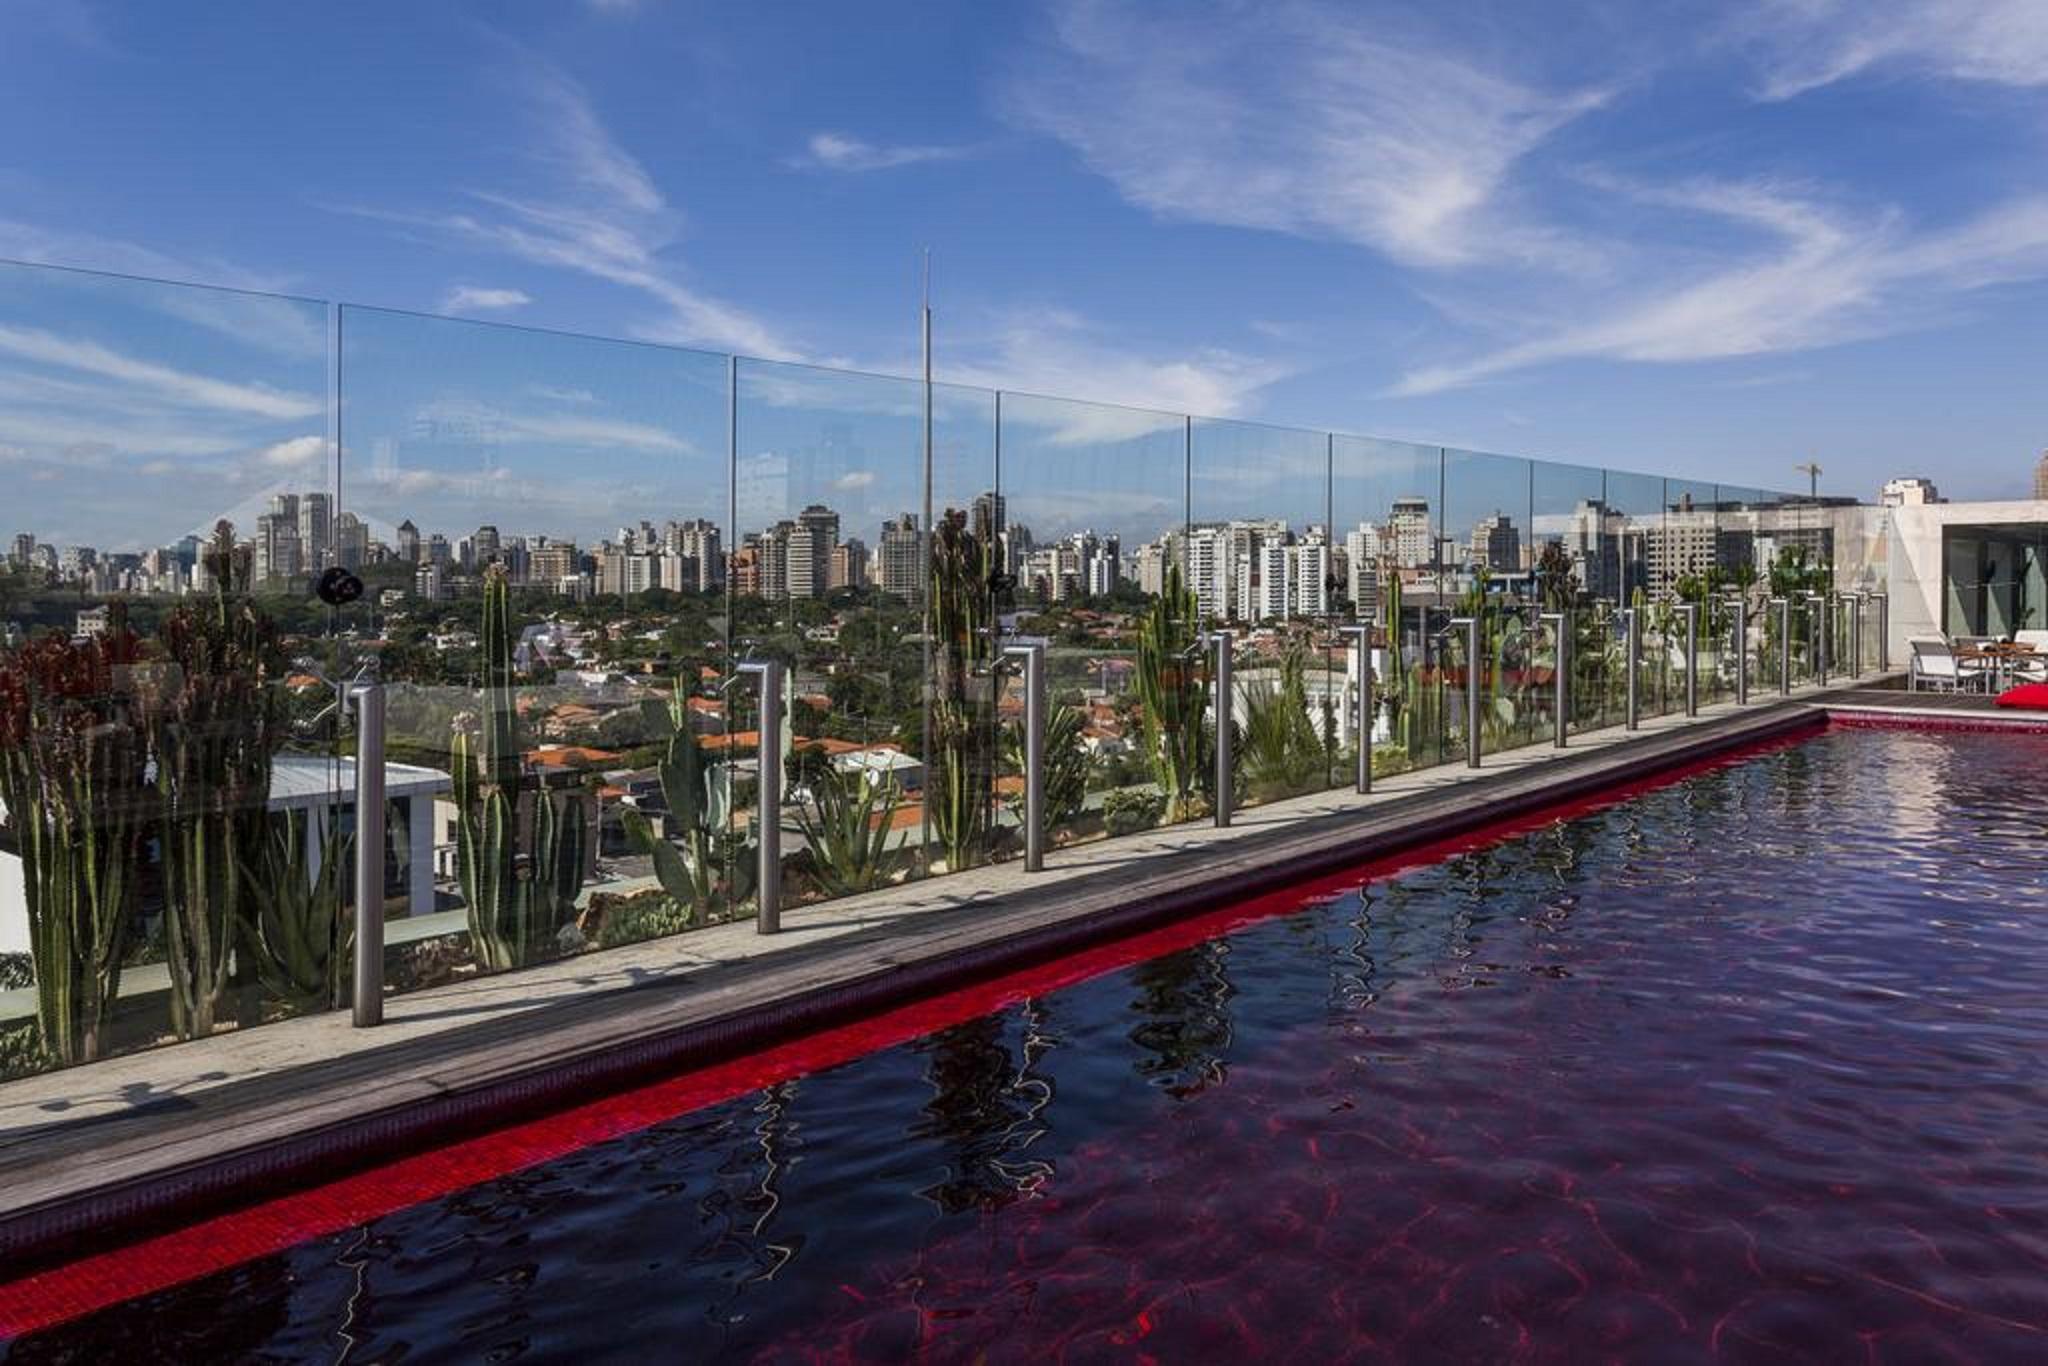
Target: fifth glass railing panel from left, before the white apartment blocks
x=1261, y=521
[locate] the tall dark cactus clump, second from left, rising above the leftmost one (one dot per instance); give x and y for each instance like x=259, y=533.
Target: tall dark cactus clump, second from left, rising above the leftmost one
x=216, y=728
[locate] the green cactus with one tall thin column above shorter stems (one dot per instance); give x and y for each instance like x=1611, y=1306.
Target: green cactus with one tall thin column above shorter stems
x=517, y=906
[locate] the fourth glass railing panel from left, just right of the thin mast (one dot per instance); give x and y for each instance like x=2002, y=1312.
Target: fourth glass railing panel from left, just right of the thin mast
x=1099, y=507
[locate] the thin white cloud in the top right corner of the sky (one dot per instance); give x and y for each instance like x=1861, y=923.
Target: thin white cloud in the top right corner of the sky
x=1811, y=44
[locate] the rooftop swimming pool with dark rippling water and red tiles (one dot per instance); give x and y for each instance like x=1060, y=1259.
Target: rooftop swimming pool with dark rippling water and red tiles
x=1750, y=1066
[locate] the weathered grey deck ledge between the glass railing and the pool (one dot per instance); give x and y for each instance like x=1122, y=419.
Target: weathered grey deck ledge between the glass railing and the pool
x=159, y=1136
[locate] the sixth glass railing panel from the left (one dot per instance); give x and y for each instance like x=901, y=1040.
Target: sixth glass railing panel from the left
x=1388, y=503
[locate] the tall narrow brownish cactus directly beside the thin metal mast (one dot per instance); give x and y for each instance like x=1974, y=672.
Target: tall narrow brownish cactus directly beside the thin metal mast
x=962, y=783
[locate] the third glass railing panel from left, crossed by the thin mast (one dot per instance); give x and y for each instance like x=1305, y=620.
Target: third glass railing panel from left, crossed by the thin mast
x=865, y=579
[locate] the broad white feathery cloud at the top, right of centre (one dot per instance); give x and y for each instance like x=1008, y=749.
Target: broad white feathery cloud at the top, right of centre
x=1302, y=120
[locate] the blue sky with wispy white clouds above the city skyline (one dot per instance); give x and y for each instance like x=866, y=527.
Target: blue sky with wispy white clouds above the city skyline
x=1684, y=239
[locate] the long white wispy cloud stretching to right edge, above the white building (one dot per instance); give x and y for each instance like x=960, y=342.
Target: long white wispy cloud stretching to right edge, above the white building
x=1826, y=275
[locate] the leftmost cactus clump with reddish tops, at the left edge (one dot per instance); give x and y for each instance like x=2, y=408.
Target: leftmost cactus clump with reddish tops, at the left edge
x=77, y=792
